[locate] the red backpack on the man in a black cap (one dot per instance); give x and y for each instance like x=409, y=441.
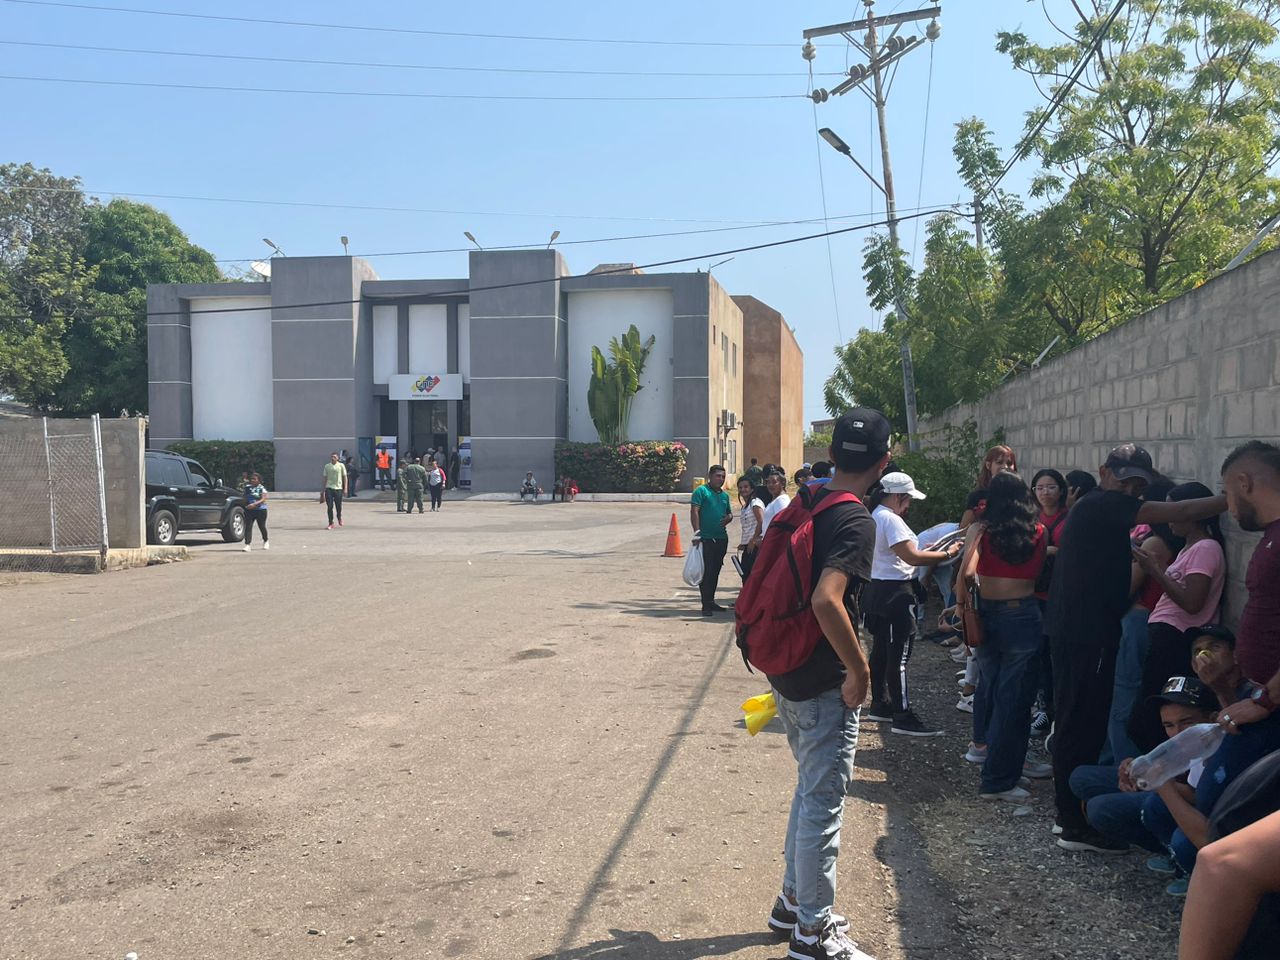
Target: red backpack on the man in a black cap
x=775, y=623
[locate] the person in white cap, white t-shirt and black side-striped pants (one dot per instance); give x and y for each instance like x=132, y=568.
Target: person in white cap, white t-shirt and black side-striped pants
x=889, y=604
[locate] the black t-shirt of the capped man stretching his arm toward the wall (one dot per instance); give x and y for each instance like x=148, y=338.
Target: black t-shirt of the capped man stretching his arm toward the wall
x=1090, y=593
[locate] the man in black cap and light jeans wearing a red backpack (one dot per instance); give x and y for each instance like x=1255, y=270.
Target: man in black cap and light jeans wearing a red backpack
x=797, y=623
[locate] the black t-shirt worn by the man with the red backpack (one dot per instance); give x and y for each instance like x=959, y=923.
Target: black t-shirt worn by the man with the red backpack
x=844, y=540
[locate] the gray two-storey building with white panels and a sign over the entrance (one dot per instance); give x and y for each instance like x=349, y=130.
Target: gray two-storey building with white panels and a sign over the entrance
x=327, y=356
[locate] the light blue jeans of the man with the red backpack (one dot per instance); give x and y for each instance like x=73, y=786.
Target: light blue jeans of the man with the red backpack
x=824, y=737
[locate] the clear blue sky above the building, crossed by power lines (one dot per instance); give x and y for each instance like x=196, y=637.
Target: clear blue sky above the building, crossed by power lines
x=514, y=171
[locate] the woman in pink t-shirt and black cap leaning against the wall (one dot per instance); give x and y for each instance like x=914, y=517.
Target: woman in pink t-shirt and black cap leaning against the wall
x=1192, y=596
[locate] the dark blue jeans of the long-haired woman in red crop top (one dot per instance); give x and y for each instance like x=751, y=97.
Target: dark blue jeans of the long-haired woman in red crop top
x=1008, y=670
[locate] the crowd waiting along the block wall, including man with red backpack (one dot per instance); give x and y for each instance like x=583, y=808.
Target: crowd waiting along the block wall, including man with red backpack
x=1085, y=609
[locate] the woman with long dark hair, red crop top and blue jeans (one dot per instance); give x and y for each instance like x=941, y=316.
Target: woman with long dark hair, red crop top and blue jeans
x=1004, y=556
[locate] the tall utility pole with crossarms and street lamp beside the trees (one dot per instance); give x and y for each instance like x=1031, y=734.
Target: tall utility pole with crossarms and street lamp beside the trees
x=880, y=57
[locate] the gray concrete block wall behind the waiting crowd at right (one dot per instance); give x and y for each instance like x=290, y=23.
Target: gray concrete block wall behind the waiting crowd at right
x=1188, y=381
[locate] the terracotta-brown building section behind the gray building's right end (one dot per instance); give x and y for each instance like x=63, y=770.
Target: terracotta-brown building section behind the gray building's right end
x=774, y=391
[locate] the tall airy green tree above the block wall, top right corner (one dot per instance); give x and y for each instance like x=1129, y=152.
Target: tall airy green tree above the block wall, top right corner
x=1155, y=166
